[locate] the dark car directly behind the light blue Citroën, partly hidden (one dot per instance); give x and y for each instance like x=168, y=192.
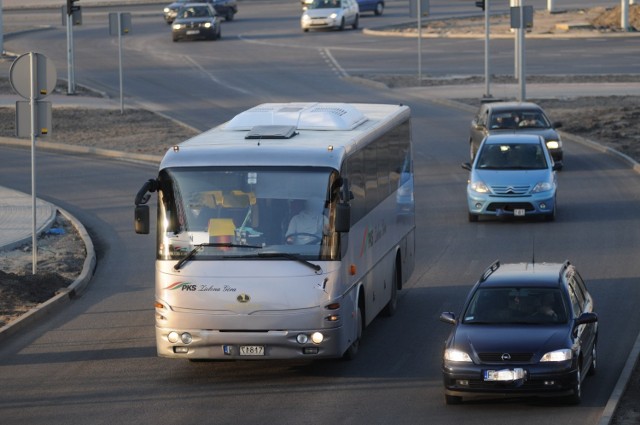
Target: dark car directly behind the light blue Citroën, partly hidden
x=515, y=117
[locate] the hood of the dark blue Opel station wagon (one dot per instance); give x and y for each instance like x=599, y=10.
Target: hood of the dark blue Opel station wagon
x=538, y=340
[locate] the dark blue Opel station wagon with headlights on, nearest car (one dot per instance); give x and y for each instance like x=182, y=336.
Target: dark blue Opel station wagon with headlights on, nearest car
x=525, y=330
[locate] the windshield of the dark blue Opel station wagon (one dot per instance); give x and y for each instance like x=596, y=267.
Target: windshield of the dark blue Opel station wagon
x=531, y=306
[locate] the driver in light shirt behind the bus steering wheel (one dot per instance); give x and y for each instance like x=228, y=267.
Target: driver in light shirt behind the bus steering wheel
x=308, y=224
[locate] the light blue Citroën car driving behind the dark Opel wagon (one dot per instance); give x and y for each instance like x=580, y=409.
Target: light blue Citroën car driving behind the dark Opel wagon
x=512, y=175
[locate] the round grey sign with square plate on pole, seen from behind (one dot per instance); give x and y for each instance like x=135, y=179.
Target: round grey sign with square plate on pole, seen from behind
x=33, y=76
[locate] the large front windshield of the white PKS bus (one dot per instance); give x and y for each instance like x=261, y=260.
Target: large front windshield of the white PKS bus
x=247, y=213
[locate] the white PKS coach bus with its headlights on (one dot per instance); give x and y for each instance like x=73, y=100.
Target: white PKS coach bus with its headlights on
x=282, y=233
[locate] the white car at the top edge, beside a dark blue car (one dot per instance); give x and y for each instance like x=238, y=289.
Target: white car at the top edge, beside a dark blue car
x=330, y=14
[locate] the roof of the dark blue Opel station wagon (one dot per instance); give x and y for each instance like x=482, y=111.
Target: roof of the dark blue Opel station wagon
x=542, y=275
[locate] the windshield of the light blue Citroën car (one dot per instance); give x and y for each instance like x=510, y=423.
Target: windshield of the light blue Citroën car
x=512, y=156
